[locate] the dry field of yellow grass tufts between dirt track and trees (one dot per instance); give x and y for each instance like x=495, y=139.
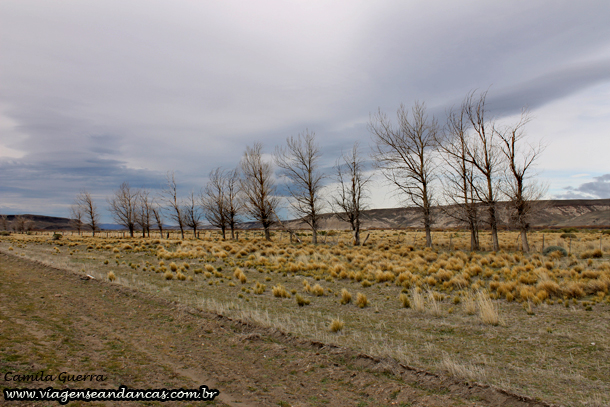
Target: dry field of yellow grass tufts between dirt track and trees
x=532, y=324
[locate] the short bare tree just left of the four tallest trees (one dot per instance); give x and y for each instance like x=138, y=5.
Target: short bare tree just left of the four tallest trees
x=352, y=192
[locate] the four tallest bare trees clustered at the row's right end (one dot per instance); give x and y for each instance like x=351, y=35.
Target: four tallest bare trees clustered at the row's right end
x=476, y=161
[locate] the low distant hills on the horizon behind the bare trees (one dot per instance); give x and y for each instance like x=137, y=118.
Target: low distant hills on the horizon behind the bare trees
x=593, y=213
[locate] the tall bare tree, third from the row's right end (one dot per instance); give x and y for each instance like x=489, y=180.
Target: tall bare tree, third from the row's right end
x=459, y=179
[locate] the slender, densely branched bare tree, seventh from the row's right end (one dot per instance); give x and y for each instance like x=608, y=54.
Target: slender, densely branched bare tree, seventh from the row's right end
x=258, y=187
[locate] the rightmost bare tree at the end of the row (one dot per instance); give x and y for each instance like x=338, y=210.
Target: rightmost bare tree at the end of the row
x=521, y=190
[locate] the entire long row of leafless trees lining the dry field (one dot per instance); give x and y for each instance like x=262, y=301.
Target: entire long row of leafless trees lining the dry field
x=470, y=163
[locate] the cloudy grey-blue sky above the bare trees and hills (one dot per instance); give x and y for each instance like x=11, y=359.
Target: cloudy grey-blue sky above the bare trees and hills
x=95, y=93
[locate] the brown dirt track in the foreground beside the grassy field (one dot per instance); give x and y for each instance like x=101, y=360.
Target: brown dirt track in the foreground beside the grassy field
x=53, y=320
